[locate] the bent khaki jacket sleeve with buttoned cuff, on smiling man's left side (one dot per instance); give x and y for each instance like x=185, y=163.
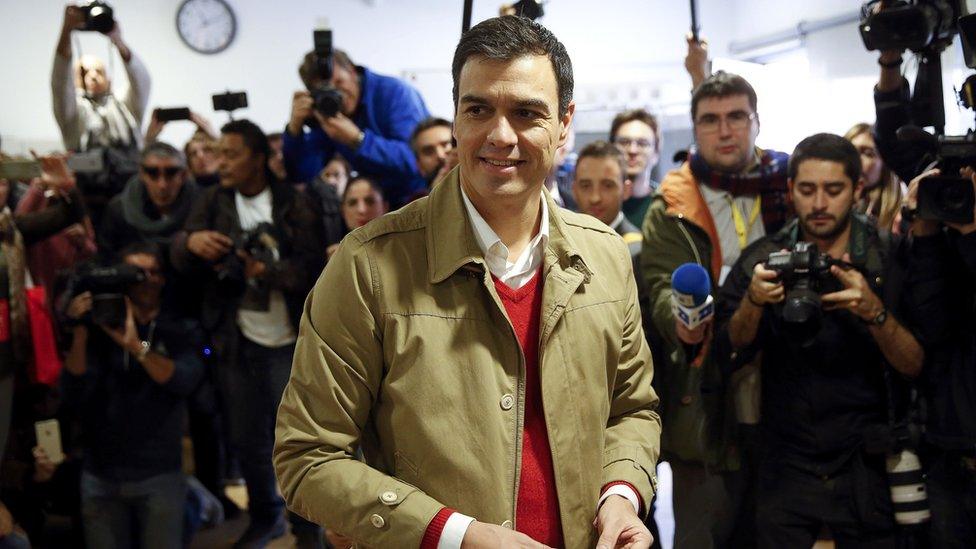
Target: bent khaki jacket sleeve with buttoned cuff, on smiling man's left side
x=326, y=406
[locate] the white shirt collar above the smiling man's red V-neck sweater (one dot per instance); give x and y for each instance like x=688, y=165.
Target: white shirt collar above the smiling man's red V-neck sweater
x=514, y=274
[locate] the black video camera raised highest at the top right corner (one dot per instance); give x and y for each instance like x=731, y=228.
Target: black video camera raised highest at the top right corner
x=915, y=25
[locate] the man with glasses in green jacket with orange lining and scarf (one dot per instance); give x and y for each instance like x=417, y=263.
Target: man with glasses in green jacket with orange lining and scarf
x=727, y=195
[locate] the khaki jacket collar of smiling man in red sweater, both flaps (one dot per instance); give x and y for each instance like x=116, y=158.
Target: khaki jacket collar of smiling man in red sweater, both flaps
x=451, y=243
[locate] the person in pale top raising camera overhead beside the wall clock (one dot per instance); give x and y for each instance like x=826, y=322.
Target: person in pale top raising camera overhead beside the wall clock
x=87, y=111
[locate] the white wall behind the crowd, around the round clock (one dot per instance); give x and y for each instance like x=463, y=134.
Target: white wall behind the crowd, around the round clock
x=635, y=45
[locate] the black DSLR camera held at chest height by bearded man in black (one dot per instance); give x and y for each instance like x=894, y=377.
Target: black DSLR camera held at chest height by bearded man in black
x=805, y=274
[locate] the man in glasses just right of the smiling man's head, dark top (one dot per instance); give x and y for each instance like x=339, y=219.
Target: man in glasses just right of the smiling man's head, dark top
x=637, y=135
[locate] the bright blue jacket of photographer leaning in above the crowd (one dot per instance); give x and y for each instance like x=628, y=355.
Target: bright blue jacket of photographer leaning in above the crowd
x=388, y=111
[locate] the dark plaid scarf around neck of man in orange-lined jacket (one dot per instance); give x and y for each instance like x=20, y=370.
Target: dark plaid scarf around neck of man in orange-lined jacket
x=767, y=180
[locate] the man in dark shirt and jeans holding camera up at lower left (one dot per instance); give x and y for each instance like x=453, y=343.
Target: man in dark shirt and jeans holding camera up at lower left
x=128, y=379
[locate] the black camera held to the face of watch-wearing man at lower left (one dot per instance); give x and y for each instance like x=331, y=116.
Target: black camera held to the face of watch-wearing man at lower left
x=108, y=286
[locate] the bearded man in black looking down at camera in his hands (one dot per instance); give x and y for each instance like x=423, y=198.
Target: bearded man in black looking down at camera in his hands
x=823, y=368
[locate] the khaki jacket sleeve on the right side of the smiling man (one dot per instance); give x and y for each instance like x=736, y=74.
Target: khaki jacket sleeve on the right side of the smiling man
x=633, y=435
